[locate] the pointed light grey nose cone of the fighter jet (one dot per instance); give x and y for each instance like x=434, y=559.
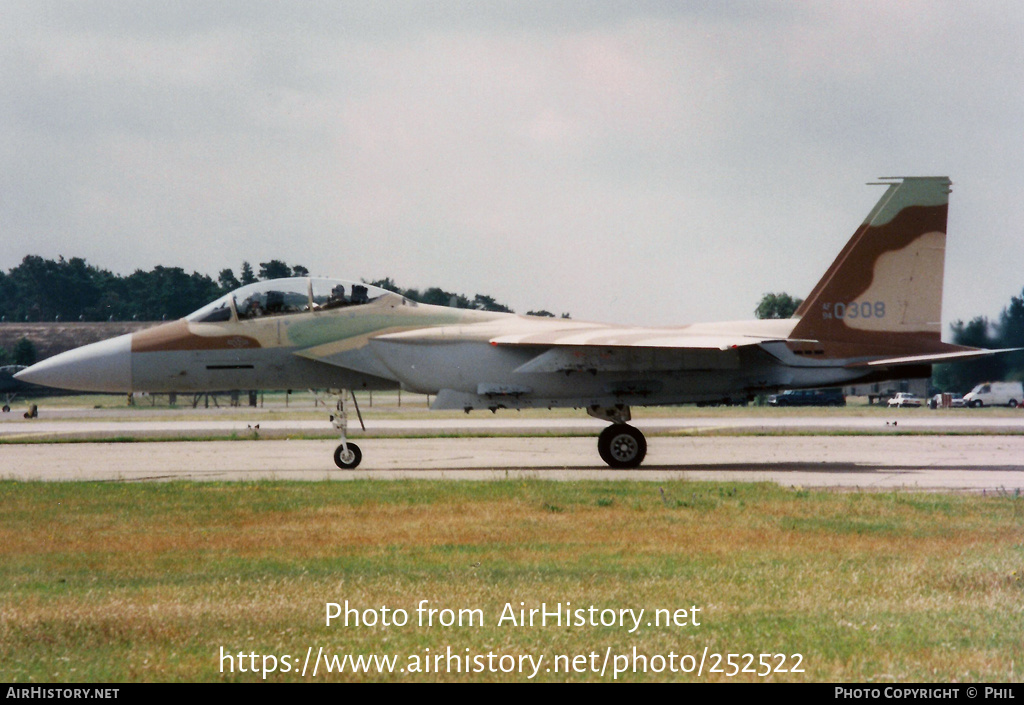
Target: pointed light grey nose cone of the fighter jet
x=104, y=366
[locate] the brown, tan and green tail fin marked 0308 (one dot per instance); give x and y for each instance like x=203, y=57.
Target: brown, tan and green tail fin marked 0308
x=885, y=288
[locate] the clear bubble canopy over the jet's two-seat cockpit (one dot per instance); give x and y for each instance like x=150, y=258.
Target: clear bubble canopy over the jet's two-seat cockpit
x=286, y=297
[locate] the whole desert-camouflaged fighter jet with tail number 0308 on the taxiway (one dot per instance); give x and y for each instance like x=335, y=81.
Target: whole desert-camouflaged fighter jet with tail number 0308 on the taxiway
x=876, y=315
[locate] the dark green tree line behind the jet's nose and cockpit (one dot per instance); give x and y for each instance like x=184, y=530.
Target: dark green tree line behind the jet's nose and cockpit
x=39, y=291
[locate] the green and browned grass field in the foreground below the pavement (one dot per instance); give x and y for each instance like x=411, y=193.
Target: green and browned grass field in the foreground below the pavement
x=124, y=583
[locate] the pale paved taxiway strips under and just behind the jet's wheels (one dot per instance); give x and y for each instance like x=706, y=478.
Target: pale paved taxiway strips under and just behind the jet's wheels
x=962, y=461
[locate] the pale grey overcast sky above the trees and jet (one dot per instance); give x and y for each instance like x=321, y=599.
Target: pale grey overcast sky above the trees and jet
x=634, y=162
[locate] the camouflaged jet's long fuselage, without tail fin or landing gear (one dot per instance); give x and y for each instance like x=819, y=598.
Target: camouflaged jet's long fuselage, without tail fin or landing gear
x=287, y=335
